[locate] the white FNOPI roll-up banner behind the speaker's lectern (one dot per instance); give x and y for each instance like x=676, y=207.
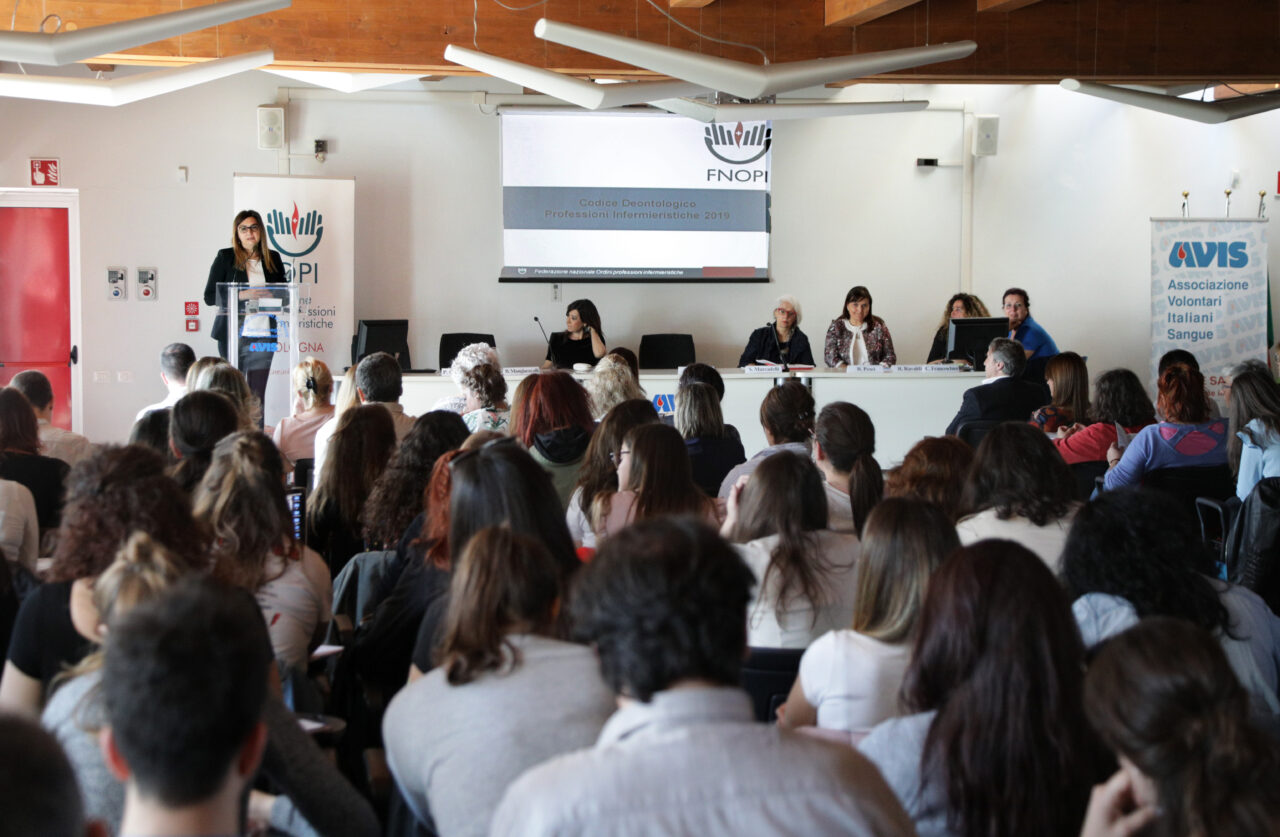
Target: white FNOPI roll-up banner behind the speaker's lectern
x=310, y=222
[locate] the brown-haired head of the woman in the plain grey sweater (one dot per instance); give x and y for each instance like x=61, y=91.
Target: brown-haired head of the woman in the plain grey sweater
x=504, y=584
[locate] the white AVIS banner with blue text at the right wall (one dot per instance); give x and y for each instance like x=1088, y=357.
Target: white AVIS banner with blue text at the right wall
x=1209, y=294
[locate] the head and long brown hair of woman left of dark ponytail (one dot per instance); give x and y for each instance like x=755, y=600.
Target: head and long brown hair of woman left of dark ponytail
x=785, y=497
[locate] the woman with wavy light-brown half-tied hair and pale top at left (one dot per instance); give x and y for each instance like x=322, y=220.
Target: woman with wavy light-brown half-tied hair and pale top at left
x=241, y=501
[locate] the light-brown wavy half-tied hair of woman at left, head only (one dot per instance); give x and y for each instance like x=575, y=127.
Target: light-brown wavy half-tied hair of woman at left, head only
x=241, y=500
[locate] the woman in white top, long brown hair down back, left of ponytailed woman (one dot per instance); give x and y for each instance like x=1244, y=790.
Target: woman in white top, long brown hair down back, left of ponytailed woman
x=779, y=520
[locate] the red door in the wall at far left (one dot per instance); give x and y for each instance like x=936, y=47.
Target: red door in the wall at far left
x=35, y=300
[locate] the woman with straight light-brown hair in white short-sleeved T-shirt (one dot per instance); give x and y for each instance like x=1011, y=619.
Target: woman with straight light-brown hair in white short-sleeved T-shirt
x=851, y=679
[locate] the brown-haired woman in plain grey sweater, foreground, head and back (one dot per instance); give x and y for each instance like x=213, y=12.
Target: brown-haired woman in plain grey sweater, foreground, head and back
x=508, y=693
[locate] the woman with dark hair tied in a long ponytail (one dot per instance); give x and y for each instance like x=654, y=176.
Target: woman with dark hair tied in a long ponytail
x=844, y=447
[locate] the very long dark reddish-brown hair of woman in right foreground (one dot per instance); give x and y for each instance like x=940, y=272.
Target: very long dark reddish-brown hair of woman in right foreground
x=998, y=648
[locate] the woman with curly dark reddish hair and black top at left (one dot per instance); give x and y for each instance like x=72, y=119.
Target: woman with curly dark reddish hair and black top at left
x=109, y=496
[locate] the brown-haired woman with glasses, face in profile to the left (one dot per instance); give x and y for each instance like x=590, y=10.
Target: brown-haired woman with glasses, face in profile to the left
x=655, y=481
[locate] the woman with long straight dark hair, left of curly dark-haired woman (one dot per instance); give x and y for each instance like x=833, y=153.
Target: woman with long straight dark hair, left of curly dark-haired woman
x=359, y=451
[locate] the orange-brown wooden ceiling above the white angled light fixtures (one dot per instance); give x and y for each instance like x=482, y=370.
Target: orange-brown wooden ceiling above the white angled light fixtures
x=1136, y=42
